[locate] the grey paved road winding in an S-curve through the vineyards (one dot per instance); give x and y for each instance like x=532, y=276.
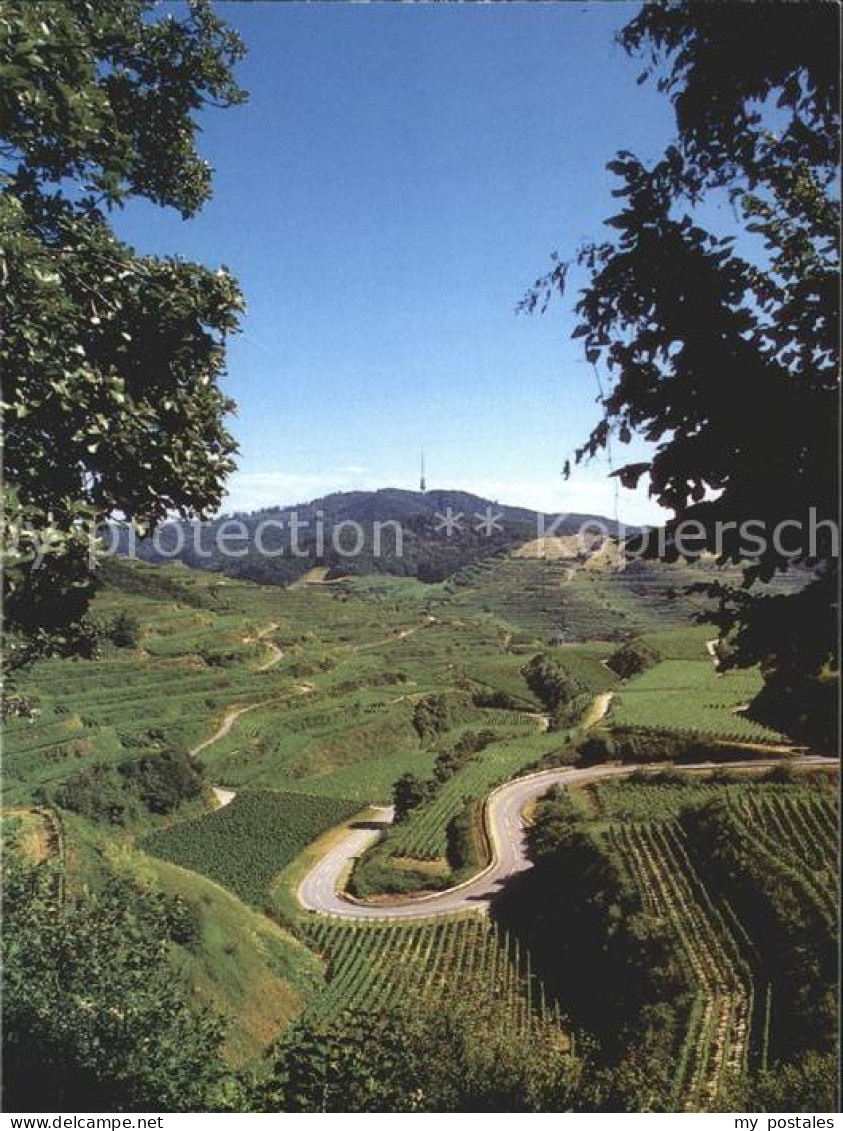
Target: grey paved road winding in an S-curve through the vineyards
x=321, y=890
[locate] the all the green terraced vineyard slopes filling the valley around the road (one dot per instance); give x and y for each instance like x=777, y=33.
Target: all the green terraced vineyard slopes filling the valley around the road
x=330, y=728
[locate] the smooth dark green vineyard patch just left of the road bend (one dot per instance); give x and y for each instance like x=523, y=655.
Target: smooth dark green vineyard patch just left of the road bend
x=245, y=845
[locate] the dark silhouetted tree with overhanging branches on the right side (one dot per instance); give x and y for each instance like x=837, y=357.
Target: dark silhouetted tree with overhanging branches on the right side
x=726, y=359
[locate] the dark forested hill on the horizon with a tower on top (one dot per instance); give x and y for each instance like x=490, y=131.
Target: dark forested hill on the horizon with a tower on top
x=431, y=550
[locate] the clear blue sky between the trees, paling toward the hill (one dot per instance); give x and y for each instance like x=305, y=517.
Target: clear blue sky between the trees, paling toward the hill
x=398, y=179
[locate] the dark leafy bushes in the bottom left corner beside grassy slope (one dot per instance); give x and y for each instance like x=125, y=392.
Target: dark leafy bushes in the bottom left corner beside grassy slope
x=93, y=1018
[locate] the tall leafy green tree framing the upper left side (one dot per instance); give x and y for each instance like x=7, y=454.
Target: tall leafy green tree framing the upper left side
x=111, y=359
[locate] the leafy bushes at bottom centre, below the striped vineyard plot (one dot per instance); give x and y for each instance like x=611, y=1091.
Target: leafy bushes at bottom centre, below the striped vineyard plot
x=461, y=1056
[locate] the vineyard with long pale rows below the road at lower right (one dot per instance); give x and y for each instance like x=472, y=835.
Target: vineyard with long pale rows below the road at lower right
x=733, y=1018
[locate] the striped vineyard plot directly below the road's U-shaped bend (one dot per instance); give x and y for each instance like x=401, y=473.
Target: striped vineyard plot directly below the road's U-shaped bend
x=375, y=965
